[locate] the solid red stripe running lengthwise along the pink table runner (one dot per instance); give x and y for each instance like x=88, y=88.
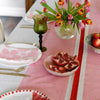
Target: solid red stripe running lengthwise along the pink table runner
x=77, y=74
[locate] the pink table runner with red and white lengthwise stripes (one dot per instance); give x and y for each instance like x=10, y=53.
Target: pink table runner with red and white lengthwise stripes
x=85, y=83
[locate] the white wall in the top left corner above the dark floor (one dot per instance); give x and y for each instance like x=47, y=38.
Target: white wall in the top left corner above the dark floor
x=12, y=7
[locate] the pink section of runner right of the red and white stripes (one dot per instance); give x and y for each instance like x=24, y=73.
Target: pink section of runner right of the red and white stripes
x=92, y=73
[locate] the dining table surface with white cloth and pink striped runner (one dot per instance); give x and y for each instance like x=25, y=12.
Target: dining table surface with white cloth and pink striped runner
x=83, y=84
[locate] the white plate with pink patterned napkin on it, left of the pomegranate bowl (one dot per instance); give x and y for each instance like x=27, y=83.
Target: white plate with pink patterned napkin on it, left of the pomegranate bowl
x=19, y=54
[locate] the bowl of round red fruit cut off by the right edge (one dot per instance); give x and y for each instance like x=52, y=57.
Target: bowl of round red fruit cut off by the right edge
x=94, y=41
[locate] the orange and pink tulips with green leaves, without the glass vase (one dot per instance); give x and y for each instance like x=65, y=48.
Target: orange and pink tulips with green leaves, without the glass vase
x=72, y=15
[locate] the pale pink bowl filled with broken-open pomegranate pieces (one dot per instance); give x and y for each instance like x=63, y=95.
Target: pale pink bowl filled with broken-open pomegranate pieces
x=61, y=64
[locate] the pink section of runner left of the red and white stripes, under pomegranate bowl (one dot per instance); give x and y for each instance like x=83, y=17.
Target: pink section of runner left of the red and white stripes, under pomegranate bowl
x=55, y=87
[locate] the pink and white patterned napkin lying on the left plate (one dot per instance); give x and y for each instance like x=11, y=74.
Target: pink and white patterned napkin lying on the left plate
x=12, y=53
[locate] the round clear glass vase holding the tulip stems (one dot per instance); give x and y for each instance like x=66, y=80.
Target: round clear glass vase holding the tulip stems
x=66, y=31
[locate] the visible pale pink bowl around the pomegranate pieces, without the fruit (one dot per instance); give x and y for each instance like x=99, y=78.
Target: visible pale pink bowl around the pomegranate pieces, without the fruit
x=48, y=61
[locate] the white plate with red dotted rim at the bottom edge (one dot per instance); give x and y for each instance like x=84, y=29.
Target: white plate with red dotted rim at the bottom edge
x=24, y=95
